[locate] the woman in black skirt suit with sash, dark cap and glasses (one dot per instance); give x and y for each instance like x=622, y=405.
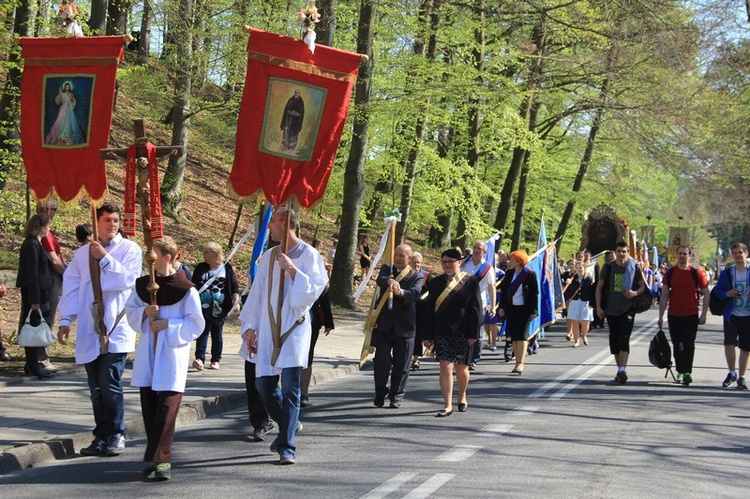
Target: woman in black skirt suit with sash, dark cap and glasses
x=453, y=316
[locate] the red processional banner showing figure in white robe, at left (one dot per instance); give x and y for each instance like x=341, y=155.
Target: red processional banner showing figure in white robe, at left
x=67, y=93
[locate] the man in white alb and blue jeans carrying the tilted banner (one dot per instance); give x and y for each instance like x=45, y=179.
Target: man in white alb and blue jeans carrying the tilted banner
x=305, y=277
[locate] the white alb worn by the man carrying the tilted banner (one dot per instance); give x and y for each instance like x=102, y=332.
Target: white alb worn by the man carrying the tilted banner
x=299, y=294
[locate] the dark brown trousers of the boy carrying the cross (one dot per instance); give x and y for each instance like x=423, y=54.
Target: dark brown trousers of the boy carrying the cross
x=160, y=411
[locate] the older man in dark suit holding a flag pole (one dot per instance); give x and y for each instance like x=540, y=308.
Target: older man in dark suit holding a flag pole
x=393, y=335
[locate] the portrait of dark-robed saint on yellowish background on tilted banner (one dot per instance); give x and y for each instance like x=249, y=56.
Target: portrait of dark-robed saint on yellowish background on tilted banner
x=292, y=118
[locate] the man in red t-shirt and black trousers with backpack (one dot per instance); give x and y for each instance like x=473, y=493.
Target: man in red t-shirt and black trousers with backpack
x=681, y=287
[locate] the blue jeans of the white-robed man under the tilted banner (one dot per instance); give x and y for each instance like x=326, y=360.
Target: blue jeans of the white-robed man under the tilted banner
x=282, y=403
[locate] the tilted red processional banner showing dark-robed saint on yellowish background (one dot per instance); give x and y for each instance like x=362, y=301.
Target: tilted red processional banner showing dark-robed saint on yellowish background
x=293, y=112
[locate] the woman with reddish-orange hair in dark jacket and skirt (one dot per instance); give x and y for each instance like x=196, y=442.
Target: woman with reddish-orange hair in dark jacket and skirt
x=519, y=293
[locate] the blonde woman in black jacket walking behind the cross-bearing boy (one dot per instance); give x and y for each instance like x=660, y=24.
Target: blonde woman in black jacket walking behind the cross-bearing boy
x=217, y=300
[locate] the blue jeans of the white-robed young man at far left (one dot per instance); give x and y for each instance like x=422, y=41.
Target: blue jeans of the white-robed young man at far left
x=105, y=384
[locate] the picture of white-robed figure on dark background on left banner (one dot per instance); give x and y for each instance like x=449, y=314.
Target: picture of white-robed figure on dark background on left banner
x=67, y=110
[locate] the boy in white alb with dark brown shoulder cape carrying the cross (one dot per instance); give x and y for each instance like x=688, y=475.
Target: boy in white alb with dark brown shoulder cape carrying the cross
x=163, y=352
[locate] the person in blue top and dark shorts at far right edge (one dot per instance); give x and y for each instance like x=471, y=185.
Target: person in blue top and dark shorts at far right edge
x=734, y=288
